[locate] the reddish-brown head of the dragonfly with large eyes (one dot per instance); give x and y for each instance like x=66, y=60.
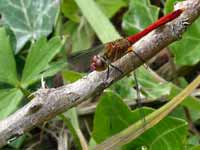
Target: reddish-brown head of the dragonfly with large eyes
x=98, y=63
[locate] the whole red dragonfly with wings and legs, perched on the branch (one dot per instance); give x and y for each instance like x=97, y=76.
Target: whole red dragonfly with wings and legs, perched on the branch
x=114, y=50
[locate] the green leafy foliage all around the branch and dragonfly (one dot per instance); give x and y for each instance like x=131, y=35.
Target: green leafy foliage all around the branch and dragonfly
x=33, y=40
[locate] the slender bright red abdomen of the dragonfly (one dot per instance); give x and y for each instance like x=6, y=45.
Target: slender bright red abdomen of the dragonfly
x=163, y=20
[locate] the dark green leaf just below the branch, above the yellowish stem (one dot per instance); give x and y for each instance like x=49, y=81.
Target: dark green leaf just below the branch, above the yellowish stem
x=110, y=116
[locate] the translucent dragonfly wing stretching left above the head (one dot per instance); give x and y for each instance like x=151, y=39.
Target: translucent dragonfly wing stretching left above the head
x=80, y=61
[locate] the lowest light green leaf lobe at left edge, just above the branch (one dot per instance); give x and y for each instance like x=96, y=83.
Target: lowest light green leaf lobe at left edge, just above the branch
x=9, y=101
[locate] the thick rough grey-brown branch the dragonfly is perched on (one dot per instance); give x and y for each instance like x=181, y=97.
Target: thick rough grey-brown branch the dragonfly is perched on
x=50, y=102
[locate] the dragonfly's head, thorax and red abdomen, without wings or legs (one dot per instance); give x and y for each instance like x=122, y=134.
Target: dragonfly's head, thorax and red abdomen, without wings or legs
x=116, y=49
